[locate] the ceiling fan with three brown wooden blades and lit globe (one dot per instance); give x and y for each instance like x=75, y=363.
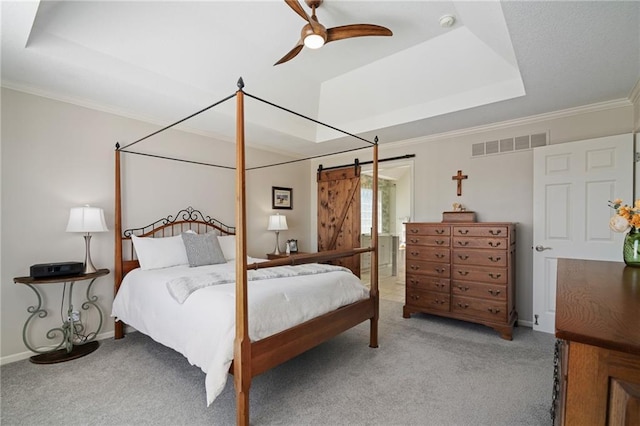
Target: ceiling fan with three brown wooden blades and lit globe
x=314, y=35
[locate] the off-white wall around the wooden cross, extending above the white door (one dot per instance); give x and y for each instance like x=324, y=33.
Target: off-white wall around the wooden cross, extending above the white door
x=499, y=187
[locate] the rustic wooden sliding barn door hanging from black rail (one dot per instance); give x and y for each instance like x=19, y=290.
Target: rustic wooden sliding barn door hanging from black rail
x=339, y=213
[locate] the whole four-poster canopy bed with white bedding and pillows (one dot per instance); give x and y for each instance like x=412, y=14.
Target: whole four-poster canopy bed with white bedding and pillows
x=264, y=312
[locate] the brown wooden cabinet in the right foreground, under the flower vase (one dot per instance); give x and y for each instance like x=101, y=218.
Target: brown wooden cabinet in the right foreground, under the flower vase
x=597, y=380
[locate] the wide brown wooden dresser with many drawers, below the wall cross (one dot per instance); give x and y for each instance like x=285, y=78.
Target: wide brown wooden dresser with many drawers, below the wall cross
x=464, y=271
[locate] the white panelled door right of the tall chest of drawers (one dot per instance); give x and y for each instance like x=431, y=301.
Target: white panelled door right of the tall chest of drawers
x=573, y=183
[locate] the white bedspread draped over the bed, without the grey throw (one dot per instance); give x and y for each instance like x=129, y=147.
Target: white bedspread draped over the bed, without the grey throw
x=203, y=327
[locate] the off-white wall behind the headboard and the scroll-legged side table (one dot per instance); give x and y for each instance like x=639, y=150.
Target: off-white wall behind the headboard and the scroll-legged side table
x=56, y=156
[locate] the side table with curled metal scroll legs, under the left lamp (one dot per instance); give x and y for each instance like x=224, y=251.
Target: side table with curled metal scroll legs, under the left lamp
x=65, y=350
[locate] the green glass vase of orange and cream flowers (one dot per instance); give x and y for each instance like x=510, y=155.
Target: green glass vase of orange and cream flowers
x=627, y=218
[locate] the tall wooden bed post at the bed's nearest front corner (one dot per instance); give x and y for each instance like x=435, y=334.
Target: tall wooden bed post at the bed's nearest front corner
x=242, y=346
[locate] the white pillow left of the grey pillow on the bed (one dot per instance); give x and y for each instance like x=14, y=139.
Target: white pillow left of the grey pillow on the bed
x=156, y=253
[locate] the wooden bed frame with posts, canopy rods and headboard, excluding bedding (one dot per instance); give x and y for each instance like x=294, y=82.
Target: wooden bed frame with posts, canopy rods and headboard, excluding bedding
x=253, y=358
